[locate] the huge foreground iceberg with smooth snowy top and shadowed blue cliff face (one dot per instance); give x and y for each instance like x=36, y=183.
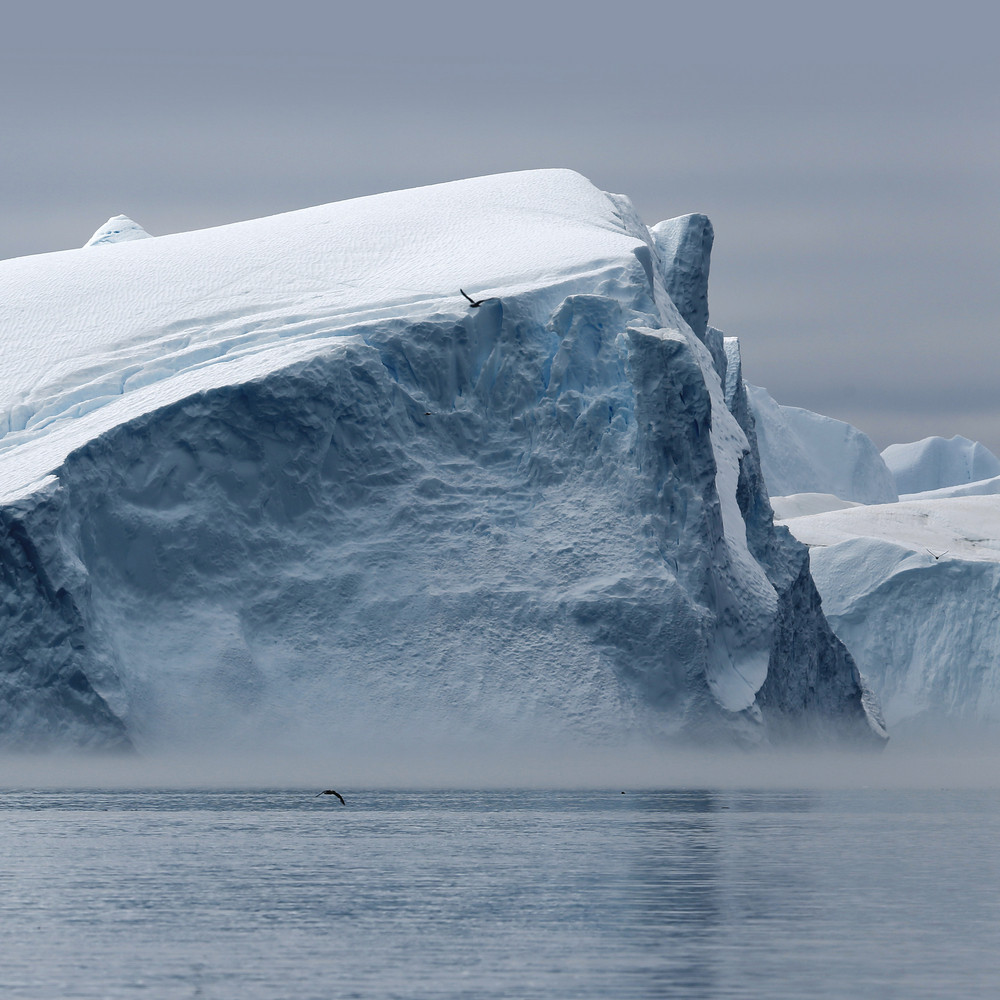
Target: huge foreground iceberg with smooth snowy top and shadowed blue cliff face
x=277, y=483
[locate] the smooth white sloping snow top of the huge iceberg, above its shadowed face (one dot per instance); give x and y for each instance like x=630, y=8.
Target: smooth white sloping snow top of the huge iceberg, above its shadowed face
x=92, y=340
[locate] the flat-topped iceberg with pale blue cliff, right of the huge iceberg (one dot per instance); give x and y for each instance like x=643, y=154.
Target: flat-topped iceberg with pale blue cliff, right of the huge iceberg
x=913, y=589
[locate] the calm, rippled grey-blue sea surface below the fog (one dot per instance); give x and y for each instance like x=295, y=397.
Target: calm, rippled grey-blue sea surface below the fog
x=277, y=894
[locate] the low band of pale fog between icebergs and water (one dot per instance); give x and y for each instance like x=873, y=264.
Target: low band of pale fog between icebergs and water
x=948, y=764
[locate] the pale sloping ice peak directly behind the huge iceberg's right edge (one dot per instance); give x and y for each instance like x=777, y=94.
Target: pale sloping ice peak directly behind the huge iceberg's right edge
x=806, y=452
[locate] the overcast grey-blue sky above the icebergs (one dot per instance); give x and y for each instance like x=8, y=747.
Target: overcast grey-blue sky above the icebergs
x=848, y=154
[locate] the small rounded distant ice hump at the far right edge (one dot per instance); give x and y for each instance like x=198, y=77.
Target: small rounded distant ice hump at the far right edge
x=936, y=463
